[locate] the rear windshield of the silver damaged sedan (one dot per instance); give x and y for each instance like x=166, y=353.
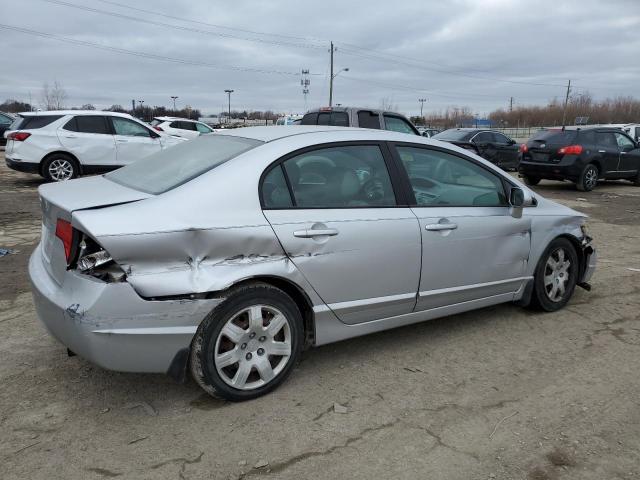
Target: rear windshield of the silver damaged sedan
x=177, y=165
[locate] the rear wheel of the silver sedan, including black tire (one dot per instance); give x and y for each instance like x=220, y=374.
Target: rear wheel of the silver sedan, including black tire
x=242, y=368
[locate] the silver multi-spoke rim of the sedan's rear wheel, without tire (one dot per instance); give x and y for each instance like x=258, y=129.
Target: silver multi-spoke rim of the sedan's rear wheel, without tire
x=253, y=347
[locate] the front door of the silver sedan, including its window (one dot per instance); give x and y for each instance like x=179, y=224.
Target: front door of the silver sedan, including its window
x=472, y=248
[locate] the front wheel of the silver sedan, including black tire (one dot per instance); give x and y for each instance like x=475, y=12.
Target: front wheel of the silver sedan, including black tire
x=554, y=279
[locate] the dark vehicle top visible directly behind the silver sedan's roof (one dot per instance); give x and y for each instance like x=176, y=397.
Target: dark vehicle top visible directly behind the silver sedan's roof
x=359, y=117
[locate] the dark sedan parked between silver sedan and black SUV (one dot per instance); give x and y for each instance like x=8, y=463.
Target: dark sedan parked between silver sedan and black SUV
x=494, y=146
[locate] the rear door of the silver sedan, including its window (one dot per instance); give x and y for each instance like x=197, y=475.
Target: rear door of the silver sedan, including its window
x=337, y=217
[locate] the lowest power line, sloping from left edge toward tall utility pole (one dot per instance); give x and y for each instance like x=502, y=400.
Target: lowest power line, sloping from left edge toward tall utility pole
x=151, y=56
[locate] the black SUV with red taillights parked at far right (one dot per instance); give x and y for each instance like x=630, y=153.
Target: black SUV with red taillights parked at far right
x=583, y=156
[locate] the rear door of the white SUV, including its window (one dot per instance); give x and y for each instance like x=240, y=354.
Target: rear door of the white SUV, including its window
x=89, y=139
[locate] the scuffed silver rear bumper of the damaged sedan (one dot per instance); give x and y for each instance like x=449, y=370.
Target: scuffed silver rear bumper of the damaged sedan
x=109, y=324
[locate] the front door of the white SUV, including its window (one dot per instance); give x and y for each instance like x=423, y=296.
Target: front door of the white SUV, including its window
x=133, y=140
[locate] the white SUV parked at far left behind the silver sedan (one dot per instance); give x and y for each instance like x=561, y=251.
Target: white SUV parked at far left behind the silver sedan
x=60, y=145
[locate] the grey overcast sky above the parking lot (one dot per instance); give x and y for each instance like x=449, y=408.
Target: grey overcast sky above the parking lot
x=452, y=52
